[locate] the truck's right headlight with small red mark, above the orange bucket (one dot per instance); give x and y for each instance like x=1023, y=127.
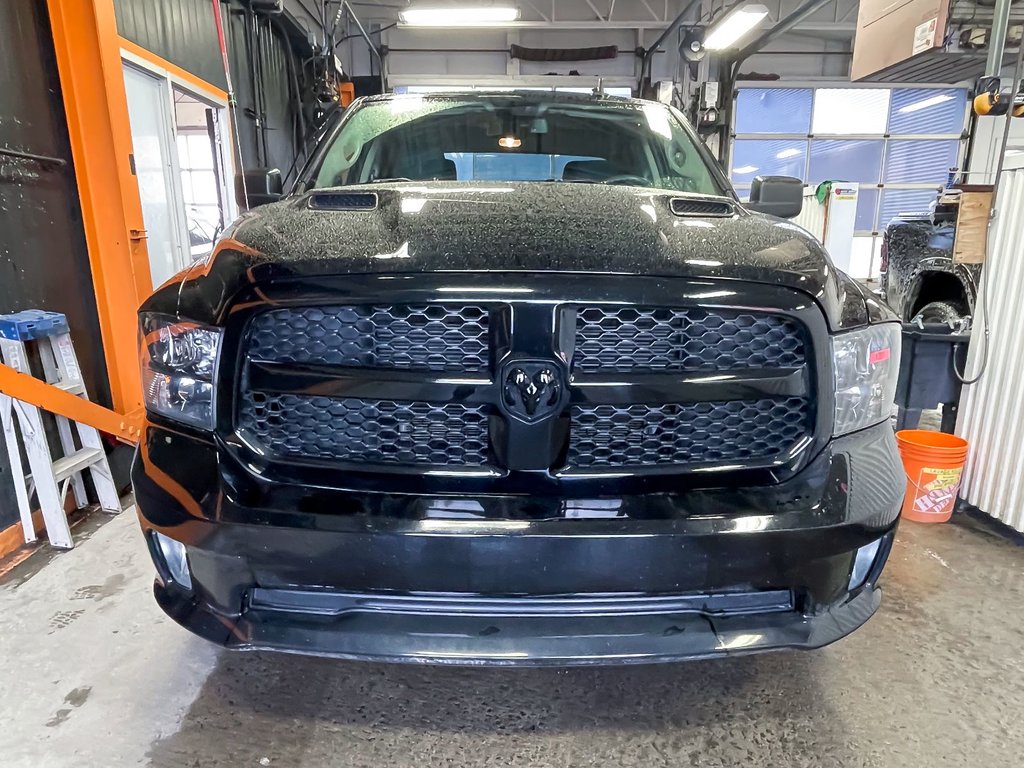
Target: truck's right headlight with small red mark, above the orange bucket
x=867, y=366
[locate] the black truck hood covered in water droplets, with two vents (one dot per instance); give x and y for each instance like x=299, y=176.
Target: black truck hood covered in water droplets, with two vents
x=459, y=227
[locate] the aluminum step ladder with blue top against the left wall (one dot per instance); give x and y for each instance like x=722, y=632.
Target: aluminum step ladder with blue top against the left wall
x=51, y=479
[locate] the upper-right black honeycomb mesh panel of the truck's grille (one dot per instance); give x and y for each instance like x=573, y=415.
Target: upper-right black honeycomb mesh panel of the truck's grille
x=637, y=339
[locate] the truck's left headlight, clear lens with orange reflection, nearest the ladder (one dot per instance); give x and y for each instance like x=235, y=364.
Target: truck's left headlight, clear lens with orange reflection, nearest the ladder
x=180, y=365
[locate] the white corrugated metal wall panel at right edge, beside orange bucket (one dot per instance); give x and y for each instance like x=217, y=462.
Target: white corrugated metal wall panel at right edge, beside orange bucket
x=992, y=415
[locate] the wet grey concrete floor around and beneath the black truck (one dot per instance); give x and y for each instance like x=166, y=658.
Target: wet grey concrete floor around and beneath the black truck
x=95, y=675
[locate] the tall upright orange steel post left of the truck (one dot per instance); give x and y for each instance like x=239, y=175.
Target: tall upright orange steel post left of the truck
x=86, y=38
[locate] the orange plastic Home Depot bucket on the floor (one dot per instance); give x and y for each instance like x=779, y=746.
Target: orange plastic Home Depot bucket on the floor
x=934, y=464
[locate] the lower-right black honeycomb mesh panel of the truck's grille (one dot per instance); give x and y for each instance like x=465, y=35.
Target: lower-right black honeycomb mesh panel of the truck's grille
x=694, y=434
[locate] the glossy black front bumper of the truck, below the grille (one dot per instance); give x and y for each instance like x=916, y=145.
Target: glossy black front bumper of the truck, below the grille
x=445, y=580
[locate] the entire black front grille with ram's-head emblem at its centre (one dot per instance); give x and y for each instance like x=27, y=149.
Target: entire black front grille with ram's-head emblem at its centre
x=645, y=388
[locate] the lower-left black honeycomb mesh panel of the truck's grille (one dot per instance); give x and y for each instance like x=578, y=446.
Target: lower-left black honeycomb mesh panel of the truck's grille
x=367, y=432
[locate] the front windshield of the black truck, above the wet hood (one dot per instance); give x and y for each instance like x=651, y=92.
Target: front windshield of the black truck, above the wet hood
x=515, y=139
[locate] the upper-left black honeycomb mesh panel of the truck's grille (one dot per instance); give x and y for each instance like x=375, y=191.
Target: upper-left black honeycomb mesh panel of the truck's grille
x=430, y=337
